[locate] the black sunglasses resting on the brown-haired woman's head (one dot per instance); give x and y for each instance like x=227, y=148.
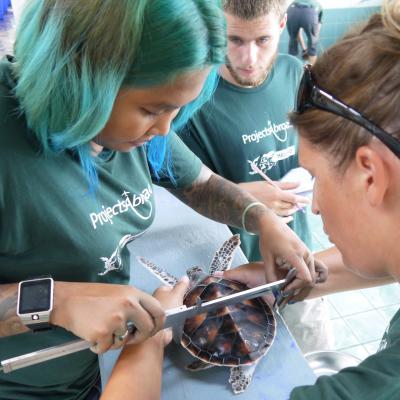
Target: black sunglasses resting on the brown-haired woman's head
x=310, y=95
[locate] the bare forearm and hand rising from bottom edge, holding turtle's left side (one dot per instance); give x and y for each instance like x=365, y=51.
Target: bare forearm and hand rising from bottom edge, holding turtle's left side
x=137, y=375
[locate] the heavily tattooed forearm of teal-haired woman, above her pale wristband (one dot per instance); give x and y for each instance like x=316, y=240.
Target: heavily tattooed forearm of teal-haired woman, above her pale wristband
x=220, y=200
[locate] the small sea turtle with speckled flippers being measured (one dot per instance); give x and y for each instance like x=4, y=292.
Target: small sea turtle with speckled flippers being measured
x=235, y=336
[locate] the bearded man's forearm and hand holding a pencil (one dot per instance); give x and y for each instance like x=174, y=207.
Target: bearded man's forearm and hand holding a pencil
x=279, y=199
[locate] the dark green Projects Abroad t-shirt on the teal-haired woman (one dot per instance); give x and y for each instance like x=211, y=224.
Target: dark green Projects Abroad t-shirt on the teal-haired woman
x=51, y=226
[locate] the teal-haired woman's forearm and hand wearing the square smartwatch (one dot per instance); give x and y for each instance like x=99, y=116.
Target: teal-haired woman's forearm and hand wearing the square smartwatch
x=92, y=311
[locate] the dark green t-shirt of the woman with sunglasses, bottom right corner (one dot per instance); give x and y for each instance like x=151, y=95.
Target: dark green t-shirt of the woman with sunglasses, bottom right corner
x=376, y=378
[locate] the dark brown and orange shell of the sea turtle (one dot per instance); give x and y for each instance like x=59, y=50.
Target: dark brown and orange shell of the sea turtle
x=237, y=334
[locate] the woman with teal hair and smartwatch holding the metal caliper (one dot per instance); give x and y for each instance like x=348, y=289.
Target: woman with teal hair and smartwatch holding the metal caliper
x=86, y=108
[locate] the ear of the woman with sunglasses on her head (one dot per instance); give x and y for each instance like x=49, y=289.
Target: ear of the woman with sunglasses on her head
x=374, y=174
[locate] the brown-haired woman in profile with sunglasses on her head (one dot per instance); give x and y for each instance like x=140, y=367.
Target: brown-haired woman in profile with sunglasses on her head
x=348, y=117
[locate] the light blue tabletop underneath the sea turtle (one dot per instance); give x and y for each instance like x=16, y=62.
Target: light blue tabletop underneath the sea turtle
x=178, y=239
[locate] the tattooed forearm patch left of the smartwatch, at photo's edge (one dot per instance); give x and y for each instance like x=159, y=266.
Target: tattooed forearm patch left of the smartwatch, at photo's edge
x=10, y=323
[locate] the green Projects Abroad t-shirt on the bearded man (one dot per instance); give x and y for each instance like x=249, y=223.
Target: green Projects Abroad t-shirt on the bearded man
x=251, y=124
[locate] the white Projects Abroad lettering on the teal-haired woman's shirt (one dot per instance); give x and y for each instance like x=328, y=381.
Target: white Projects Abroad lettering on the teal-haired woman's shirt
x=129, y=203
